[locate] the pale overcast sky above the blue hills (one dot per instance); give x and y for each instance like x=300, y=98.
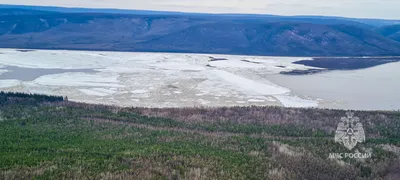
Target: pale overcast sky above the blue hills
x=388, y=9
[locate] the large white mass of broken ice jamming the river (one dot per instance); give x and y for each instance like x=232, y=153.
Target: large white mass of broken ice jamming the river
x=155, y=79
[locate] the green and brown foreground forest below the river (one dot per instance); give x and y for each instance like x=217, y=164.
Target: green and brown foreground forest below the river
x=47, y=137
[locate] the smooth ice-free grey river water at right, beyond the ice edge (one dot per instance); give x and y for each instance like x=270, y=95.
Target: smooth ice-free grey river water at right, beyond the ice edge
x=376, y=88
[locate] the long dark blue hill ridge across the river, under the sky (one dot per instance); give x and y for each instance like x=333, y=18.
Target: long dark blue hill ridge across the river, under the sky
x=64, y=28
